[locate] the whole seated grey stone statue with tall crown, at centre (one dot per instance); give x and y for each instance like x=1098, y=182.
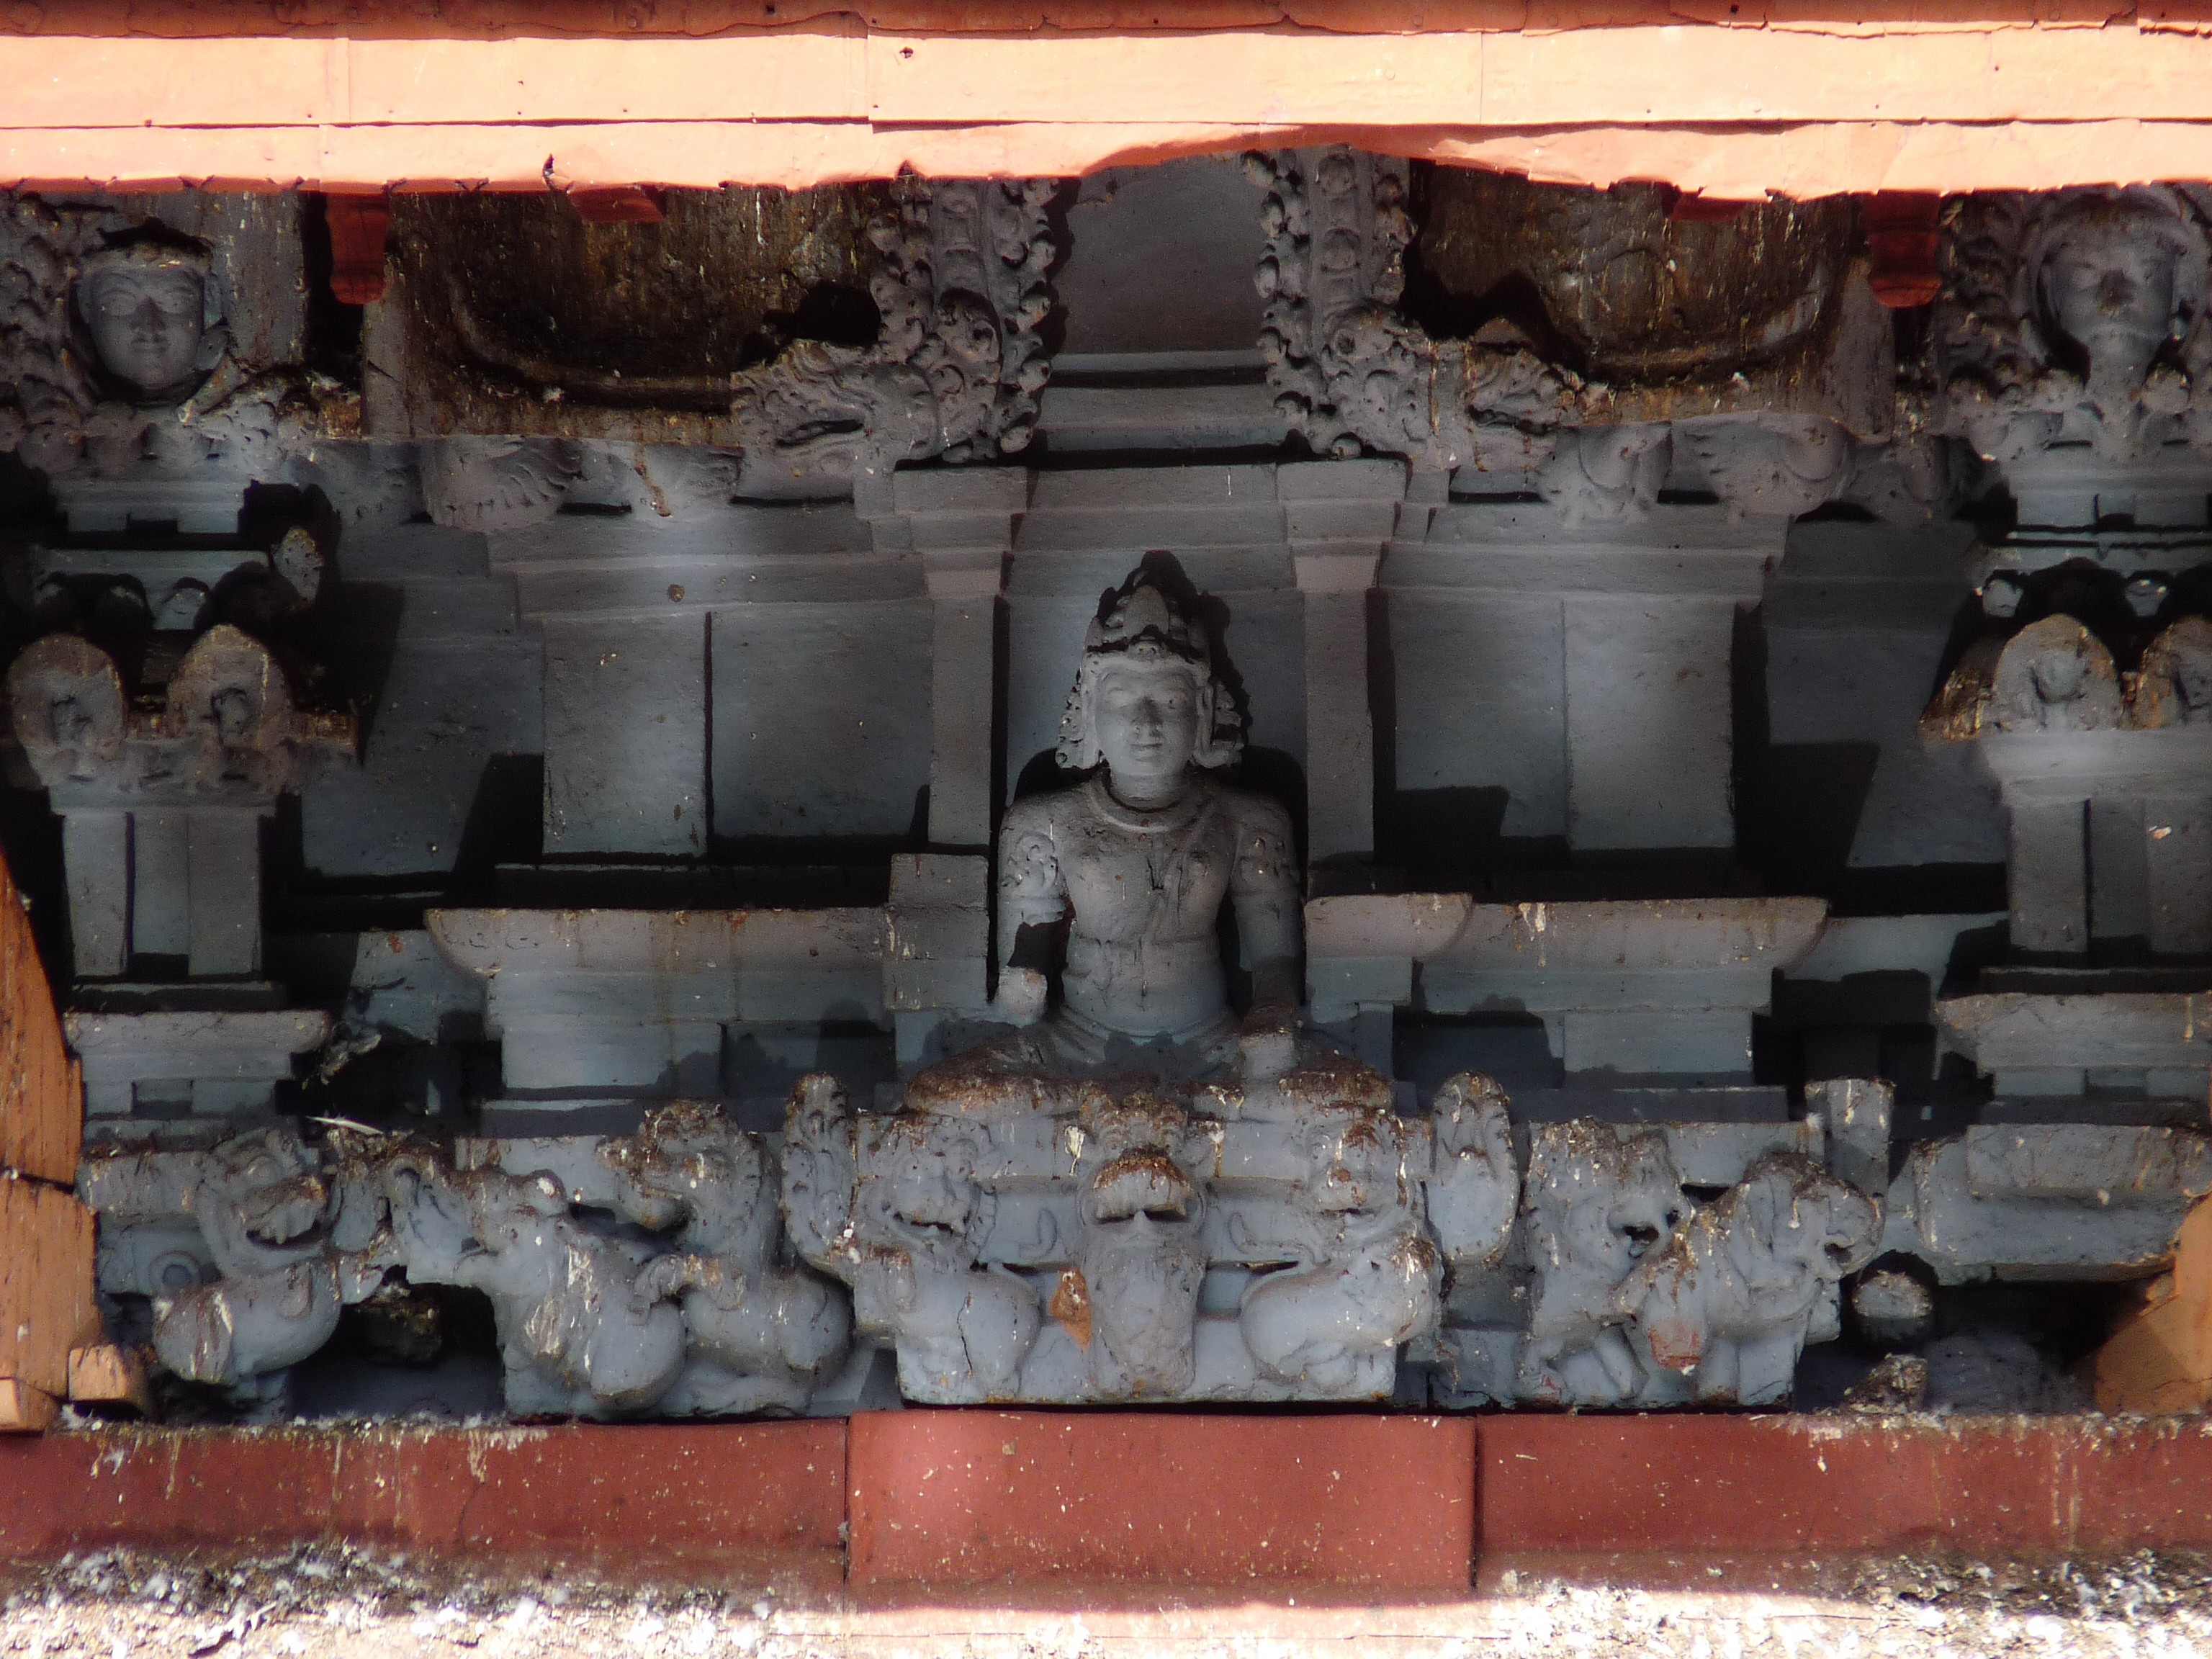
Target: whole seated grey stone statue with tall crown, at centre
x=1138, y=862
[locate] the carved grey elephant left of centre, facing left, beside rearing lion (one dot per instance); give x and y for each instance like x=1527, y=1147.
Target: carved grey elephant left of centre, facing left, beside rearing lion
x=578, y=1333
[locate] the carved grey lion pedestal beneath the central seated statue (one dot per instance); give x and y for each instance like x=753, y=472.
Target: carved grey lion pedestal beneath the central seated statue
x=1231, y=1246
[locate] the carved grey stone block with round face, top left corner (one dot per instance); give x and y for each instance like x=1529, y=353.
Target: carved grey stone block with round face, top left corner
x=158, y=337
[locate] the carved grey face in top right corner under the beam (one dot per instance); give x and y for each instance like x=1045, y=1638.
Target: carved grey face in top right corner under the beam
x=2118, y=275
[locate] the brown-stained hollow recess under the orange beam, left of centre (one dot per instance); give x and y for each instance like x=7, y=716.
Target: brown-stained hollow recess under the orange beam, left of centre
x=517, y=315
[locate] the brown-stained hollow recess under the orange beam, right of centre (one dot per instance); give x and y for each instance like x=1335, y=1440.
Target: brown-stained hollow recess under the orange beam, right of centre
x=1620, y=289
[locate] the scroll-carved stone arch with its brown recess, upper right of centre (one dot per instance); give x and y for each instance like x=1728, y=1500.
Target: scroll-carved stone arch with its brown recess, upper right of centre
x=1782, y=408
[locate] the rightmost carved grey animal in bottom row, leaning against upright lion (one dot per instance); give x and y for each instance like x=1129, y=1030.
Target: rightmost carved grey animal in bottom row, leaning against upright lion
x=1746, y=1282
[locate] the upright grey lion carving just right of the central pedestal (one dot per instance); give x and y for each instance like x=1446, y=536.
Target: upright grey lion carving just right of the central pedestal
x=1598, y=1200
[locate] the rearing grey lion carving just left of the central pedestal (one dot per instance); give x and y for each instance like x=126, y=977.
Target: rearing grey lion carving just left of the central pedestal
x=758, y=1335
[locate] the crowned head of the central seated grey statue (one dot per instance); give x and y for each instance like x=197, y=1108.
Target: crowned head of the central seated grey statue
x=1147, y=698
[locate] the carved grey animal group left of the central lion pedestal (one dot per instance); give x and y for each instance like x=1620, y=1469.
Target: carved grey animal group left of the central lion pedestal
x=251, y=1251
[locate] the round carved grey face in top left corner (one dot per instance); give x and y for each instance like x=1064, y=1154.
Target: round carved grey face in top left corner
x=154, y=320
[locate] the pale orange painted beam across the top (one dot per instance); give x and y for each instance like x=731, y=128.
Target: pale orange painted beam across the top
x=1799, y=107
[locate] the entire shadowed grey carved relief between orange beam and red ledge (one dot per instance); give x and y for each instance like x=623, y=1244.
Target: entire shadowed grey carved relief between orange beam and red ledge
x=1258, y=780
